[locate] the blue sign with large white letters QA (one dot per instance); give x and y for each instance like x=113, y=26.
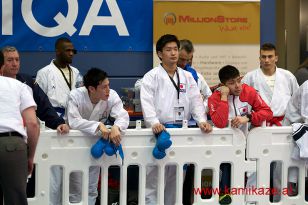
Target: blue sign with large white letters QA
x=92, y=25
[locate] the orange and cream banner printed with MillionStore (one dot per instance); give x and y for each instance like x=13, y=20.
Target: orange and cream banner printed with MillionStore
x=222, y=32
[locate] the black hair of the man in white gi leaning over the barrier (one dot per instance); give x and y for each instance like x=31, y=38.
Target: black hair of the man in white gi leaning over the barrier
x=93, y=77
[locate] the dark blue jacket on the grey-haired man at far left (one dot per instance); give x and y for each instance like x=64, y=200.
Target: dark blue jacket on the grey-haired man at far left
x=45, y=111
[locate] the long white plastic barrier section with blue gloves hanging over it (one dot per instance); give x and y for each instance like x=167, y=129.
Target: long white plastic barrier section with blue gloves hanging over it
x=190, y=145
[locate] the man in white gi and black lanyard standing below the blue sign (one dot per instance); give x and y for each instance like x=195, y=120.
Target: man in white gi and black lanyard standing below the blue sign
x=57, y=80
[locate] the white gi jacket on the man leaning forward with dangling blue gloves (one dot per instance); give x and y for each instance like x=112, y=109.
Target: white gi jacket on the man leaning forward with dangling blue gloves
x=84, y=116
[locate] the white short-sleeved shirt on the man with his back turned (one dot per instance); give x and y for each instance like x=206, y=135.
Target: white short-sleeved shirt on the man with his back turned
x=15, y=98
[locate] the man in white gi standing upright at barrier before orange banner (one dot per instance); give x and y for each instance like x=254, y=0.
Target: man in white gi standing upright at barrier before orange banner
x=169, y=95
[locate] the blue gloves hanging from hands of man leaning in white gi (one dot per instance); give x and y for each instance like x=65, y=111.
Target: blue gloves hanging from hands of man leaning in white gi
x=102, y=145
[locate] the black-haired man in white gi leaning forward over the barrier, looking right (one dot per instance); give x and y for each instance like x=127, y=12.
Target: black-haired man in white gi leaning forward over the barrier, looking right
x=88, y=109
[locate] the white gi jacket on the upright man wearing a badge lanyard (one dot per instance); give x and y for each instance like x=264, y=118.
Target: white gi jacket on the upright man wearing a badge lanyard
x=159, y=97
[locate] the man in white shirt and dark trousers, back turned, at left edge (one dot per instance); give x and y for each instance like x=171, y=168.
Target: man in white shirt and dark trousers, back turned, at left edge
x=19, y=132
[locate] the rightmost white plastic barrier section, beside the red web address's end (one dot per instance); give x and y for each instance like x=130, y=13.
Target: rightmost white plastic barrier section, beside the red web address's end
x=266, y=145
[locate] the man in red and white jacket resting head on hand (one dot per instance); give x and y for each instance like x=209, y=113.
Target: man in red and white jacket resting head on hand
x=242, y=104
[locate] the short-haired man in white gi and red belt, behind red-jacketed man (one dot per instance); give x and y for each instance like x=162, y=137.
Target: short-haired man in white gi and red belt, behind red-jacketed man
x=276, y=86
